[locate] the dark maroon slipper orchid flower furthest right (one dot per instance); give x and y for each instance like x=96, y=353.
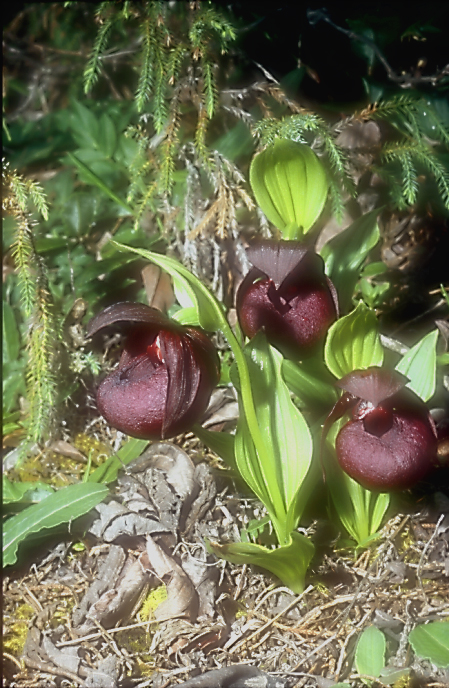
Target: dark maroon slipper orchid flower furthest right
x=391, y=441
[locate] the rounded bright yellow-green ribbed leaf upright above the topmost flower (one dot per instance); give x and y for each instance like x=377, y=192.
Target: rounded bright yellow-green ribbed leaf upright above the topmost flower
x=290, y=185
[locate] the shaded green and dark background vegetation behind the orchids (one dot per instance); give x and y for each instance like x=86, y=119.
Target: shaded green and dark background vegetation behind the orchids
x=137, y=121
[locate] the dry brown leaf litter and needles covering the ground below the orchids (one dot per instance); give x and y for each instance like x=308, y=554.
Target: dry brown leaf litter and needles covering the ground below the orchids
x=218, y=625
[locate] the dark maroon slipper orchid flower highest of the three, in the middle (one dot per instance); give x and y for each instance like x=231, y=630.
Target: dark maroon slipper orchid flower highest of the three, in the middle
x=287, y=295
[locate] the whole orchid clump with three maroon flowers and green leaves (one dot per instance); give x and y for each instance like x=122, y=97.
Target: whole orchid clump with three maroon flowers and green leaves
x=291, y=353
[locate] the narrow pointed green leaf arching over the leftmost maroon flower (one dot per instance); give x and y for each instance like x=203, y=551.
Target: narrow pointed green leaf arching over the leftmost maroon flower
x=189, y=290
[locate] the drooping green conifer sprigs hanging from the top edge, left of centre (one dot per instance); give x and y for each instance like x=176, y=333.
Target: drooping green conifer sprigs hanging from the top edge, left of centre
x=171, y=65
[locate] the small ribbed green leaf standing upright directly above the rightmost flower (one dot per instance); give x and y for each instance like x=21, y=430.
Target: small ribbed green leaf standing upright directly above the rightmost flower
x=353, y=342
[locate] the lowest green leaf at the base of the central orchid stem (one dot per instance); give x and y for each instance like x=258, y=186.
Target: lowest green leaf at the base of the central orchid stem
x=289, y=562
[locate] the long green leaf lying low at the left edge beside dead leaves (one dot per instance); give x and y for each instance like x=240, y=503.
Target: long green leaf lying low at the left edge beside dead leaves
x=61, y=507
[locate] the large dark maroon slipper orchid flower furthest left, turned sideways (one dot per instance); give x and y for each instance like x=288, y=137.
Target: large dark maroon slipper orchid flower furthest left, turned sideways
x=165, y=376
